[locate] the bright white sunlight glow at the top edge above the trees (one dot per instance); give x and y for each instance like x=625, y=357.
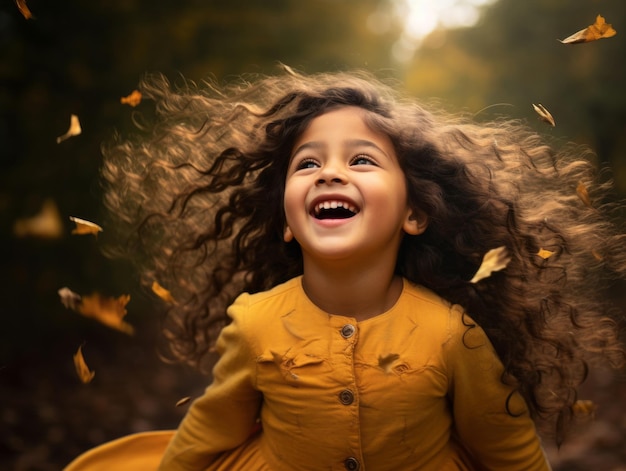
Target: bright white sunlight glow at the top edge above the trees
x=420, y=18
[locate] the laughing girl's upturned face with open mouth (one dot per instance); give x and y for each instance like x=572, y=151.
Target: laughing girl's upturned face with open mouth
x=345, y=194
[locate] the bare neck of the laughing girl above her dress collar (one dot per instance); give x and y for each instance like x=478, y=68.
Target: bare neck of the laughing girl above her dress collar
x=359, y=293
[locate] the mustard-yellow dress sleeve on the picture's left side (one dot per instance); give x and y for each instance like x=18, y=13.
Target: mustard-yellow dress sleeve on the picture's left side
x=225, y=415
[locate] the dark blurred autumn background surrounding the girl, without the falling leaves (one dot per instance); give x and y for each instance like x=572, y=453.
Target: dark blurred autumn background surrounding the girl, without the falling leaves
x=487, y=57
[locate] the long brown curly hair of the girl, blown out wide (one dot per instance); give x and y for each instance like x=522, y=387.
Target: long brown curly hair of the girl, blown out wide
x=197, y=194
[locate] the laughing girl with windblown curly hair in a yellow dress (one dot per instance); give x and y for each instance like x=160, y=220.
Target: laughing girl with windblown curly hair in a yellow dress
x=354, y=222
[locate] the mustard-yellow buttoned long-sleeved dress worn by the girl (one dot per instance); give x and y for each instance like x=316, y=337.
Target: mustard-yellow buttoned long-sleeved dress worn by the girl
x=415, y=388
